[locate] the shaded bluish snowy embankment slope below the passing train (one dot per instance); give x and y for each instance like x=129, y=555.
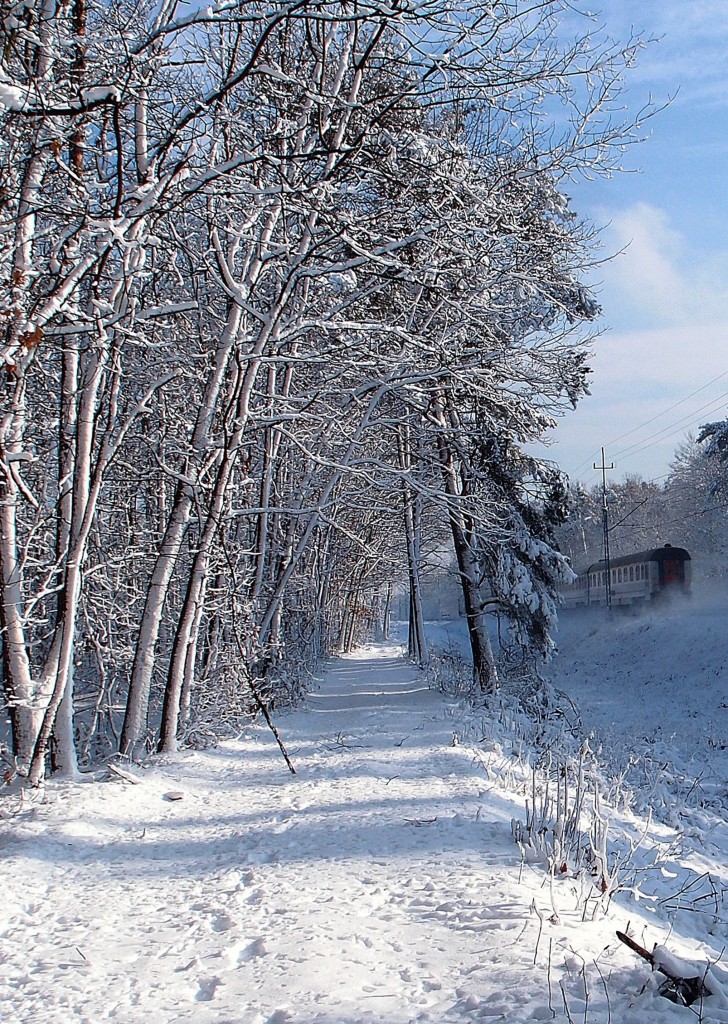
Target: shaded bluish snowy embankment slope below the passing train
x=649, y=689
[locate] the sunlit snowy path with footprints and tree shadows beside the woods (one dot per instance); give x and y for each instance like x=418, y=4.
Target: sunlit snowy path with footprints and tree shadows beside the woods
x=366, y=888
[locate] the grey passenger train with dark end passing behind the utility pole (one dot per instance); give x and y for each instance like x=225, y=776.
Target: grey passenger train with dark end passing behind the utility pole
x=634, y=579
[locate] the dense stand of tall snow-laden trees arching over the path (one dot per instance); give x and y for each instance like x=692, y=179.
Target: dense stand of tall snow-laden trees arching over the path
x=244, y=246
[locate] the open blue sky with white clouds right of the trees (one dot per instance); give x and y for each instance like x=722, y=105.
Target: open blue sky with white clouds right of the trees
x=661, y=367
